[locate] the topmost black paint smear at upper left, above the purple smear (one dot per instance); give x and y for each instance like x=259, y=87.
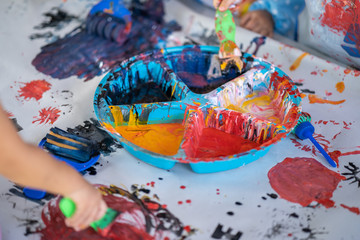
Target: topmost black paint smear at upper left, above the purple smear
x=56, y=18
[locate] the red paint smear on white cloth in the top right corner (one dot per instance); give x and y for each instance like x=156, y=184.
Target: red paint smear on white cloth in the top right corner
x=339, y=15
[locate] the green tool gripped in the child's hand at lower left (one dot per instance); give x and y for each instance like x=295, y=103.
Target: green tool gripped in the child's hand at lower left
x=102, y=226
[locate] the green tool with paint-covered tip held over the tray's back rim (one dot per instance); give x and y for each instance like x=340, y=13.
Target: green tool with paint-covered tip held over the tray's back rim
x=229, y=53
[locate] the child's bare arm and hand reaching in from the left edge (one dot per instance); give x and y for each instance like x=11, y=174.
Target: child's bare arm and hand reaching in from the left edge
x=30, y=166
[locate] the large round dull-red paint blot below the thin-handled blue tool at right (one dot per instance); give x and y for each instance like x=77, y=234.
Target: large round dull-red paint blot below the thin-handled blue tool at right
x=304, y=180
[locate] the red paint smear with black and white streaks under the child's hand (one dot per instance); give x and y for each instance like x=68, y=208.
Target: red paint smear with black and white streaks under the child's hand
x=138, y=220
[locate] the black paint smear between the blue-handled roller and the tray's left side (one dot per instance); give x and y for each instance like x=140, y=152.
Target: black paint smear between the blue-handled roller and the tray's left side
x=93, y=131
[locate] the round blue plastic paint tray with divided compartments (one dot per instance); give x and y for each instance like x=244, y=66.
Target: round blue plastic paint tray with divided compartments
x=195, y=90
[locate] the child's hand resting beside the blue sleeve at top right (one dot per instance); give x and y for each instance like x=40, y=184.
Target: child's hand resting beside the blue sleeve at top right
x=259, y=21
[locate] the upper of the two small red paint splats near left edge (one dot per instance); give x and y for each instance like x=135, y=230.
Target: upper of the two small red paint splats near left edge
x=34, y=89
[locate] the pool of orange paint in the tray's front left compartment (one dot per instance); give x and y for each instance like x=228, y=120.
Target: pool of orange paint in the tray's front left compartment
x=163, y=139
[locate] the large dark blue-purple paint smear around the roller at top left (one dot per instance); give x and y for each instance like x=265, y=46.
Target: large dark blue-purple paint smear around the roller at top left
x=87, y=55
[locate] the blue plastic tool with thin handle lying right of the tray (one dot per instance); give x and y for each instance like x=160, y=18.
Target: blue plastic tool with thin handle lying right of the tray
x=306, y=130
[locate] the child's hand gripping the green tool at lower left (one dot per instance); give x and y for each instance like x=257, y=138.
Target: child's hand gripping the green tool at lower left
x=89, y=207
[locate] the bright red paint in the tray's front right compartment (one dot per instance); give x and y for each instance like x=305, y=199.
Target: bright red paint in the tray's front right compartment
x=218, y=134
